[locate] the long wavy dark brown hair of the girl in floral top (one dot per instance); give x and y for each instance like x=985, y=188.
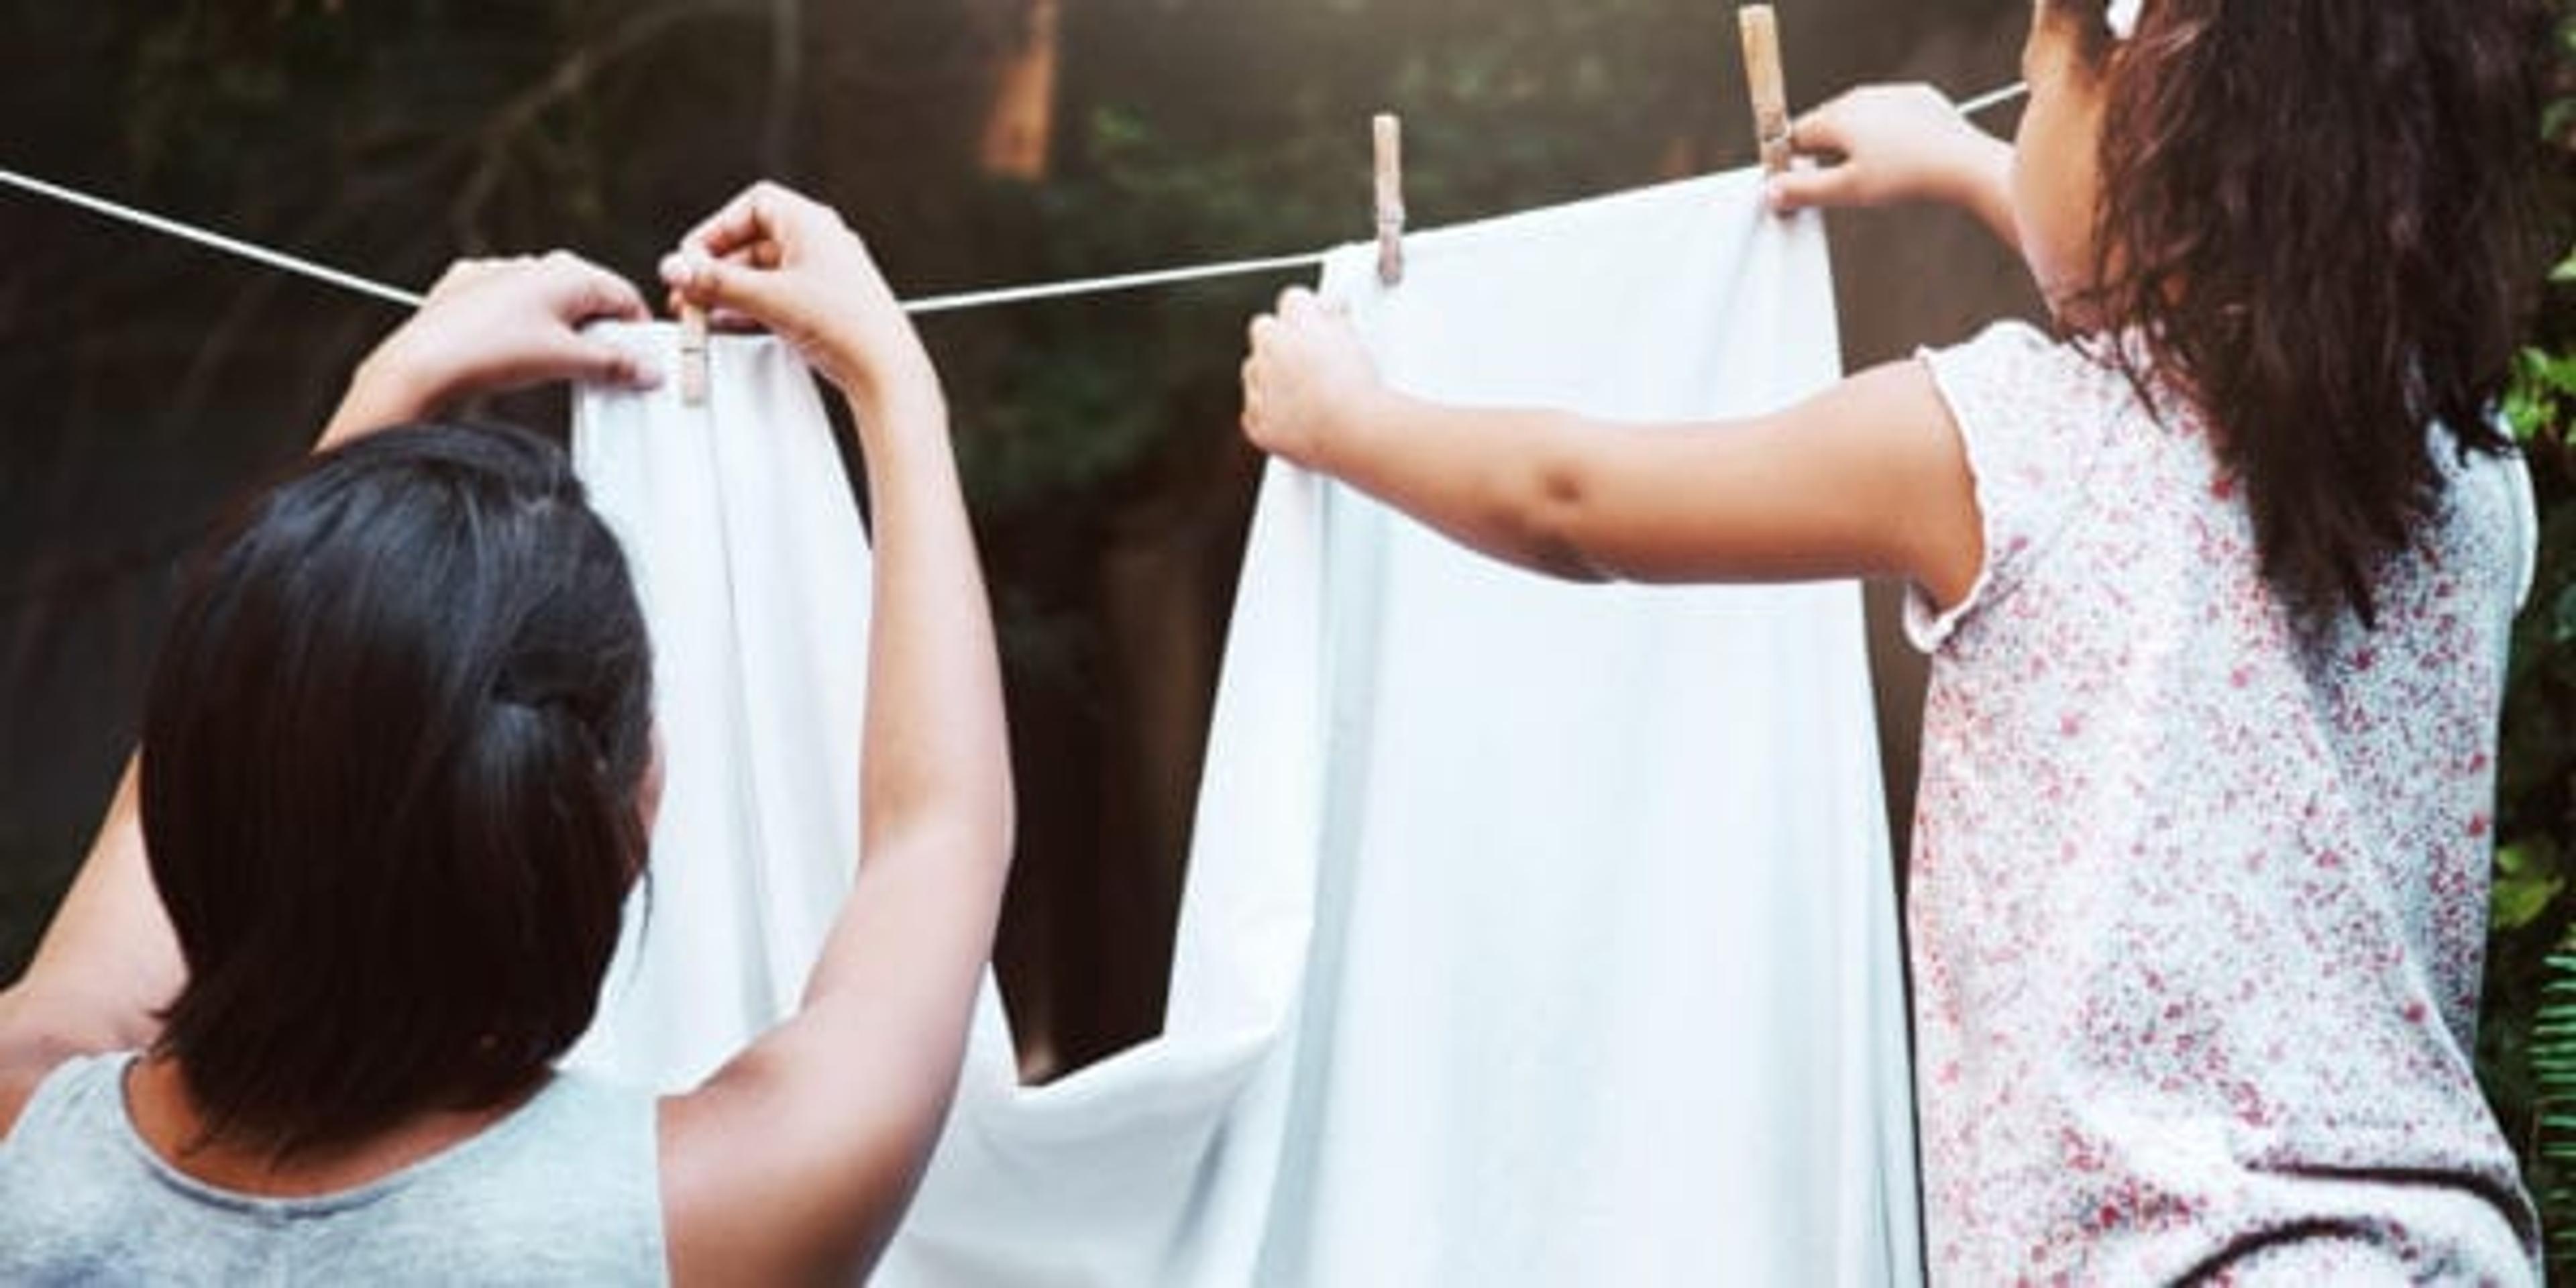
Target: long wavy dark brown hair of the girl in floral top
x=2320, y=215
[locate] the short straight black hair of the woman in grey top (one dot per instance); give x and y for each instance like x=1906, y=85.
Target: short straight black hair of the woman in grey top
x=390, y=784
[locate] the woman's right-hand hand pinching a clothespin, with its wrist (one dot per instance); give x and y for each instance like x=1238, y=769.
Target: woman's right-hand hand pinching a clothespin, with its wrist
x=792, y=267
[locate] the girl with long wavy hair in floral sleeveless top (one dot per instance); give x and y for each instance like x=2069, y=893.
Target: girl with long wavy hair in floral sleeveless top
x=2217, y=594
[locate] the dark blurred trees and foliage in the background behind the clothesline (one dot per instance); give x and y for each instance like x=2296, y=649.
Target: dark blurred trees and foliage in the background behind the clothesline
x=975, y=143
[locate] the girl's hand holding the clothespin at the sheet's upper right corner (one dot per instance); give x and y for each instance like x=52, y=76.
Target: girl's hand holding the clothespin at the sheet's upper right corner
x=1887, y=146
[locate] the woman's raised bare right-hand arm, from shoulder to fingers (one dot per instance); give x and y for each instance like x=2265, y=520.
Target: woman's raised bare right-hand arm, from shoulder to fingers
x=797, y=1160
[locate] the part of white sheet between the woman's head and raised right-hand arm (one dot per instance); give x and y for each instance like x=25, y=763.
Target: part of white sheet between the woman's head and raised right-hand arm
x=753, y=571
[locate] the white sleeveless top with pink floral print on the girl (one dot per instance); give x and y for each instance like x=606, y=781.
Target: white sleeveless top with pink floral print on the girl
x=2196, y=905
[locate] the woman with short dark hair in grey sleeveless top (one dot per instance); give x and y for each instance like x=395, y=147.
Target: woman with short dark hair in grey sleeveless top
x=300, y=1011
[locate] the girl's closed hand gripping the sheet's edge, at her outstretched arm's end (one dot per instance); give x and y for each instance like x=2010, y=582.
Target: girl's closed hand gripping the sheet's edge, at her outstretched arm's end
x=1307, y=377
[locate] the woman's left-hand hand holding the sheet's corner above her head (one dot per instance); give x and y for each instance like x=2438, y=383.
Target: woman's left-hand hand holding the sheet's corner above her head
x=496, y=326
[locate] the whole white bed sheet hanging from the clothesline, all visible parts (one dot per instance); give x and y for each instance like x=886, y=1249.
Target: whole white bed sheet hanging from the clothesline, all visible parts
x=1534, y=934
